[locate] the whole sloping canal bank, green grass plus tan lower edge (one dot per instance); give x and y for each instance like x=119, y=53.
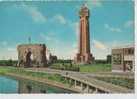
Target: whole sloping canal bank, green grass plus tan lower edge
x=45, y=78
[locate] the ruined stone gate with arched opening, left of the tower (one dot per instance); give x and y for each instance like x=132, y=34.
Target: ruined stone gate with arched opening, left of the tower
x=32, y=55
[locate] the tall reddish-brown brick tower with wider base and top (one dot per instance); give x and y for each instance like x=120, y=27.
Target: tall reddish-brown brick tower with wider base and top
x=84, y=56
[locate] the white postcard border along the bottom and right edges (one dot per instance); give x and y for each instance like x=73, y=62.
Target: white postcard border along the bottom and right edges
x=82, y=96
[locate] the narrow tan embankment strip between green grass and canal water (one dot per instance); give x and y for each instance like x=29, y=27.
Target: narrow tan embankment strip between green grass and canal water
x=45, y=81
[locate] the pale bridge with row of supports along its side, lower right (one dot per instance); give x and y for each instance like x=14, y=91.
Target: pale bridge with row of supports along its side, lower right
x=92, y=85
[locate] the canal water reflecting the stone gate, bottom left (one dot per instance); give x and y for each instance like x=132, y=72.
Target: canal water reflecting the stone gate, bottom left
x=12, y=85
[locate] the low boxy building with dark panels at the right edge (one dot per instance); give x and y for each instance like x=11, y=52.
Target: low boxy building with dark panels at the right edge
x=123, y=59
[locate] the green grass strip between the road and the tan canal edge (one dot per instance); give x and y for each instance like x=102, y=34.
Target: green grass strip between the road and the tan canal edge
x=21, y=71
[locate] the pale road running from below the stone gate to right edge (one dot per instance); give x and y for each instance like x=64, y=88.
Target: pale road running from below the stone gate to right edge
x=63, y=72
